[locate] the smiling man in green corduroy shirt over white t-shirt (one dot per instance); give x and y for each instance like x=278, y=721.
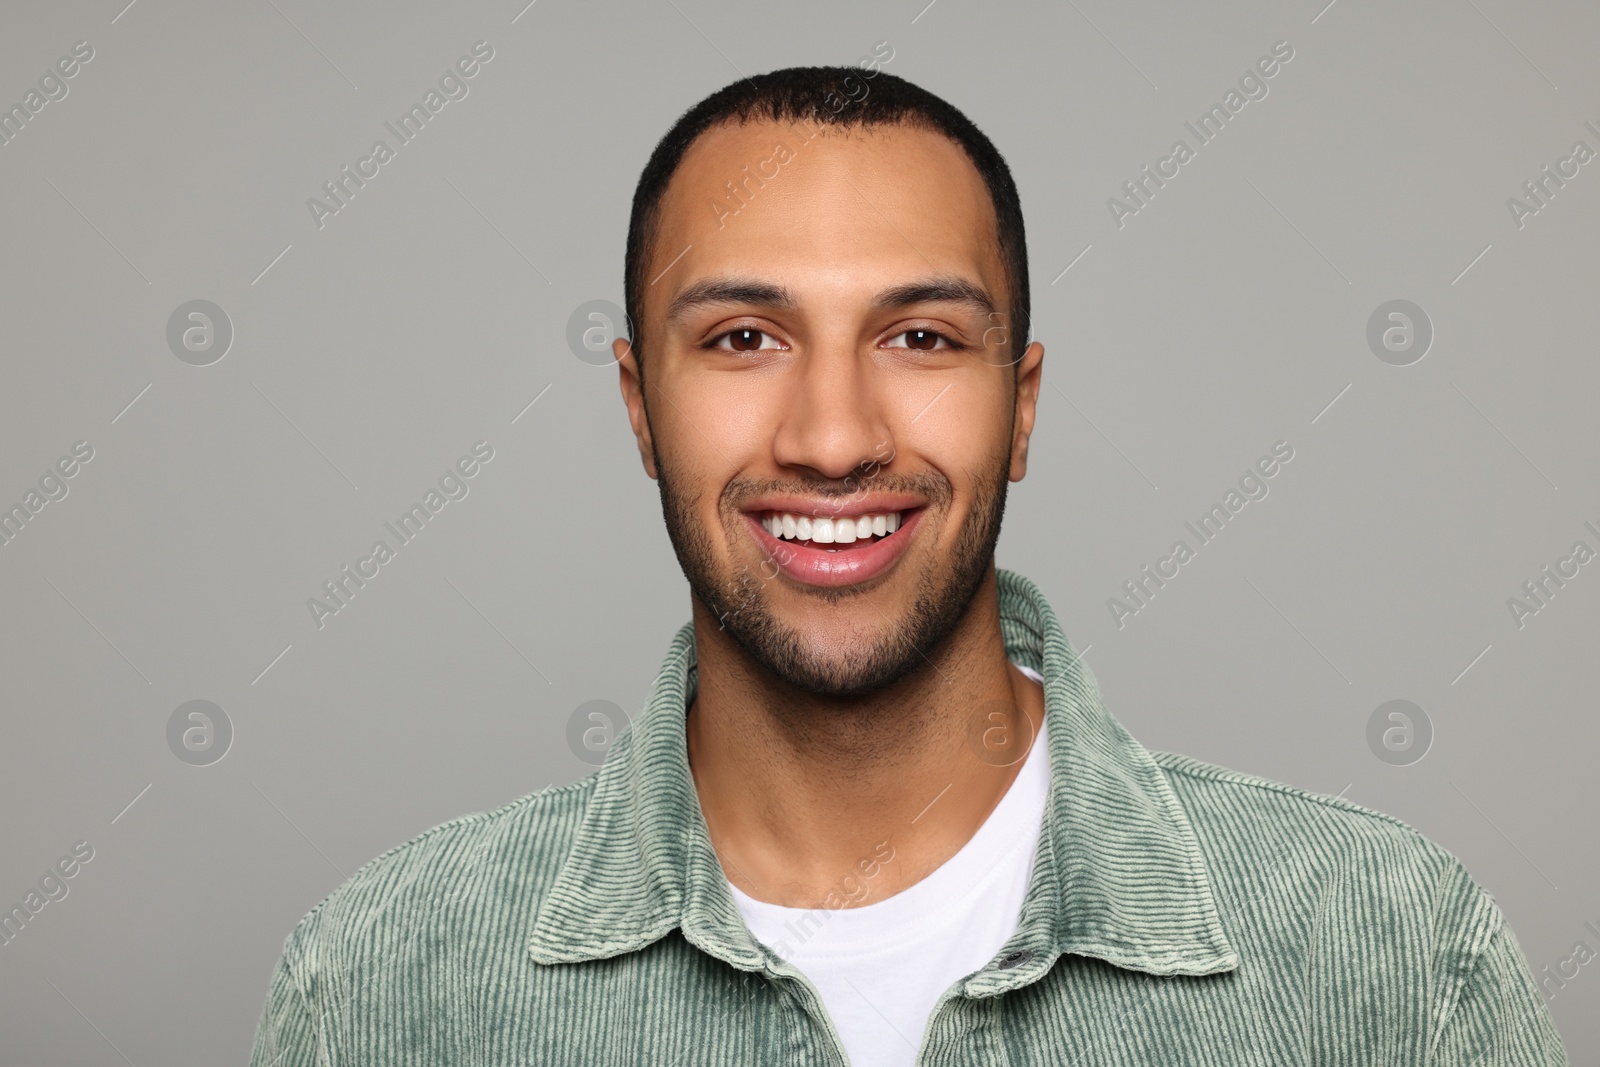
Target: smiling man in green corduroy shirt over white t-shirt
x=874, y=810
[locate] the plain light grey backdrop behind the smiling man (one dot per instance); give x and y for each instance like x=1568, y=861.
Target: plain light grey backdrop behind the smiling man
x=426, y=316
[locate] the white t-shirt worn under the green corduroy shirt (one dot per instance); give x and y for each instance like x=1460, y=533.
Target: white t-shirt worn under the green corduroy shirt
x=881, y=969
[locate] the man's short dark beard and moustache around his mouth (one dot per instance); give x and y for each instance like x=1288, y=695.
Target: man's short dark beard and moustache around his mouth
x=738, y=596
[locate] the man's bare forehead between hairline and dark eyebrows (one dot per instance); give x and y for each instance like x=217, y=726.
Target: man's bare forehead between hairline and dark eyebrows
x=804, y=204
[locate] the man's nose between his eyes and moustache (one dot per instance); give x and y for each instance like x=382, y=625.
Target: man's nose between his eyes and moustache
x=834, y=422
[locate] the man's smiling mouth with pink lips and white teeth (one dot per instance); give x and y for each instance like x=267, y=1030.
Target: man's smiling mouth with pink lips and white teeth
x=834, y=549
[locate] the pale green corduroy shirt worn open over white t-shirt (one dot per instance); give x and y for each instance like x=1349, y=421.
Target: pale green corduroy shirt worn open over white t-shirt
x=1178, y=914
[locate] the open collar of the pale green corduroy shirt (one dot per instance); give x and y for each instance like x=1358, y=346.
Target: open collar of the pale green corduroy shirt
x=1119, y=873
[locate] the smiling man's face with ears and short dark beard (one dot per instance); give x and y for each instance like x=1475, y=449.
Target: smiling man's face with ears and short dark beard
x=828, y=354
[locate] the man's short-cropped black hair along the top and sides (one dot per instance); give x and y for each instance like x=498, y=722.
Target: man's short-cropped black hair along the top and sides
x=834, y=97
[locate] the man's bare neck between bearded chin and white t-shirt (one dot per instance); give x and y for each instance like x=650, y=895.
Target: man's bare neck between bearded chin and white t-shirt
x=825, y=802
